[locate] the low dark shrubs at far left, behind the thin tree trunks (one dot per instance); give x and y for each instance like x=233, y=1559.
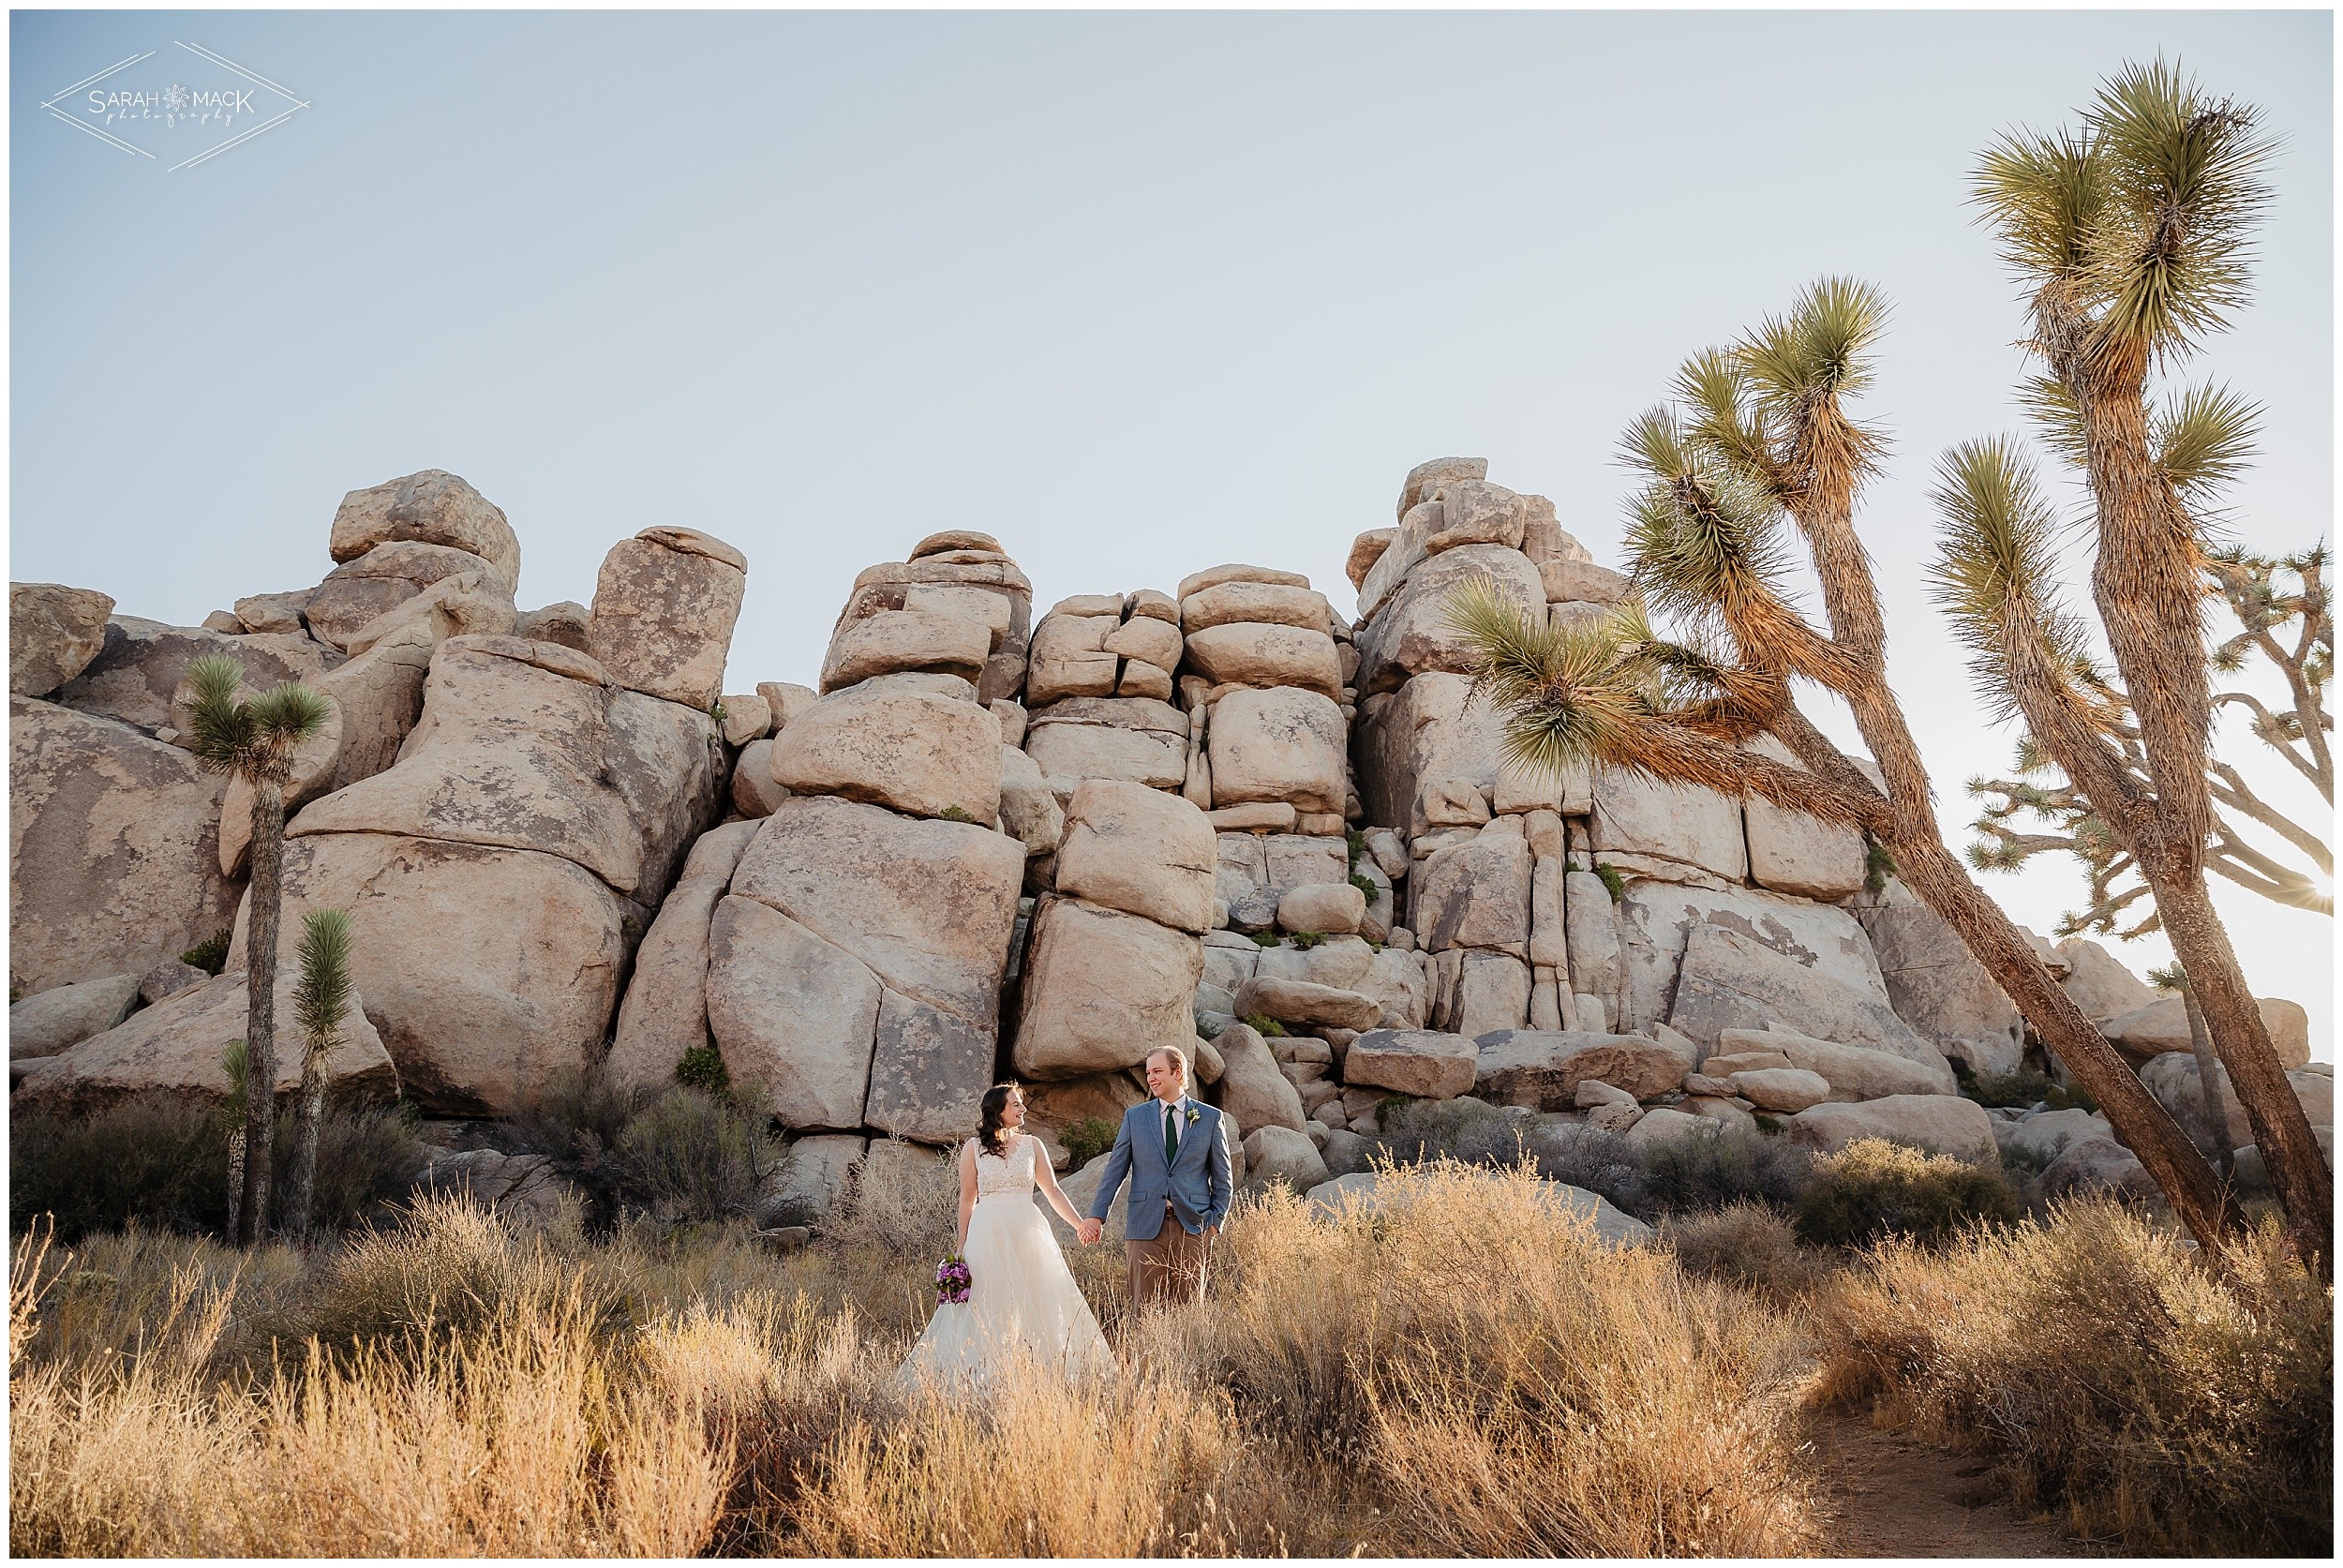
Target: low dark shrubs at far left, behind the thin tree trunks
x=163, y=1164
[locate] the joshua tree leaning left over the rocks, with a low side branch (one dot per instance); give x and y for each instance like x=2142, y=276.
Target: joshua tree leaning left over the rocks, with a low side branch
x=1763, y=435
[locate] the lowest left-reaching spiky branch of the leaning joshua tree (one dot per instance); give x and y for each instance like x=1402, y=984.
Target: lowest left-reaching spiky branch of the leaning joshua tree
x=1608, y=693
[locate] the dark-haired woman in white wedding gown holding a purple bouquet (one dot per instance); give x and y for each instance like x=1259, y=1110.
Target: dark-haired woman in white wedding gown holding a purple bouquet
x=1023, y=1302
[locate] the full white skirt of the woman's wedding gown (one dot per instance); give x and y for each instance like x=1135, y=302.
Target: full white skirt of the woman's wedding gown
x=1023, y=1307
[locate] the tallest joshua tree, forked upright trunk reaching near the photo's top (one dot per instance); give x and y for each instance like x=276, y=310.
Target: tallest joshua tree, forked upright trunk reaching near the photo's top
x=2133, y=240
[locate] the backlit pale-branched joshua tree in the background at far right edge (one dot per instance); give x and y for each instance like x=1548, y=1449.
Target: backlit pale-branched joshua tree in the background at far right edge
x=2295, y=730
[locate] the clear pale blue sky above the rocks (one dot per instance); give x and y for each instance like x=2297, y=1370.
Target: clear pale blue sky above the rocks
x=1133, y=292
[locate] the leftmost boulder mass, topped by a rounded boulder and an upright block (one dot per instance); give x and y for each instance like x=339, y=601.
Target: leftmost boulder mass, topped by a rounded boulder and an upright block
x=500, y=814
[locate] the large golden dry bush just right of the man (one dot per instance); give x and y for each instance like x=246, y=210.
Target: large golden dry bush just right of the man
x=1510, y=1384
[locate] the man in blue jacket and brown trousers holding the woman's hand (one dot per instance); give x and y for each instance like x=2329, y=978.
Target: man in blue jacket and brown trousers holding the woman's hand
x=1175, y=1152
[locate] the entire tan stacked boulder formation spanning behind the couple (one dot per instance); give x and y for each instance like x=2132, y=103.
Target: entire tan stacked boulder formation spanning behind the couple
x=1222, y=819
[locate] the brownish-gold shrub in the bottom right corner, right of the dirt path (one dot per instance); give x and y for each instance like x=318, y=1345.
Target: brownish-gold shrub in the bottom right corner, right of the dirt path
x=2110, y=1375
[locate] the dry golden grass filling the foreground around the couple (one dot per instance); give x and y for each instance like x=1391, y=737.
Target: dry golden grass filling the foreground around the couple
x=1459, y=1372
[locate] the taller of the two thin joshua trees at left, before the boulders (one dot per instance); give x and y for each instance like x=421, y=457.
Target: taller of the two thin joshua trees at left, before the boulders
x=254, y=739
